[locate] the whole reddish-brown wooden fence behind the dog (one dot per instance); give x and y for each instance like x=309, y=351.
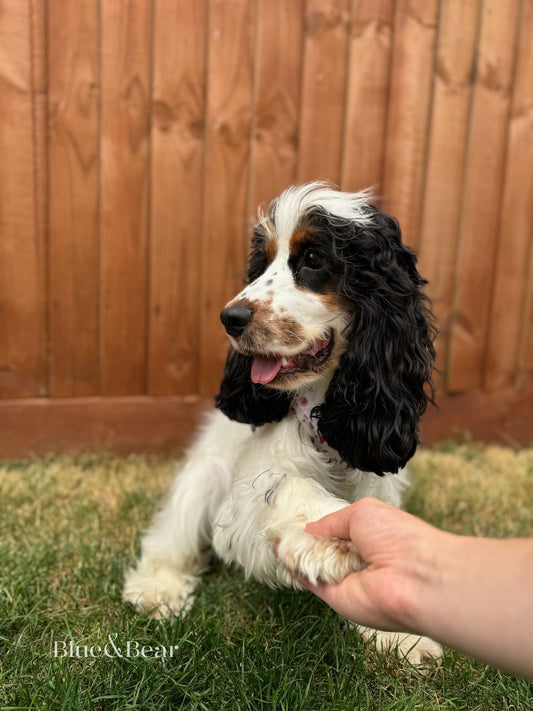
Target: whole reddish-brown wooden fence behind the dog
x=137, y=138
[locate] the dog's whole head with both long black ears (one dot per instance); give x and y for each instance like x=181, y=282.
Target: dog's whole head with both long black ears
x=332, y=295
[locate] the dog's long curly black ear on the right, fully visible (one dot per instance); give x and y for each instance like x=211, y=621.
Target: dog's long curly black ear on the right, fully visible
x=383, y=382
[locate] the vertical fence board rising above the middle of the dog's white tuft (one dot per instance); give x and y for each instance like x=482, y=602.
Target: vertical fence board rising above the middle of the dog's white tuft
x=323, y=83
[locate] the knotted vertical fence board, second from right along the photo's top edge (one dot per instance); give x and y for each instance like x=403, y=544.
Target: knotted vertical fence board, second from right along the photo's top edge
x=482, y=194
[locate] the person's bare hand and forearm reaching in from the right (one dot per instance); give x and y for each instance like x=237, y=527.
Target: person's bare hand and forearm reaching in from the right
x=425, y=581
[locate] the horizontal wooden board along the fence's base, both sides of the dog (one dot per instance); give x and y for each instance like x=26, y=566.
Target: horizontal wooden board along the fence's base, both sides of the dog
x=37, y=426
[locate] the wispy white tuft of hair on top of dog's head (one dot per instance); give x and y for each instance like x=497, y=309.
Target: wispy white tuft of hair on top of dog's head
x=287, y=210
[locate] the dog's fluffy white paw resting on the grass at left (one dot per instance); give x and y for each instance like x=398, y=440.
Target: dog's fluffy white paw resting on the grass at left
x=159, y=591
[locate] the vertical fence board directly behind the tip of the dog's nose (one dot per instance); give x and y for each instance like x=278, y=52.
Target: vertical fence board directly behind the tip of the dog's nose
x=230, y=79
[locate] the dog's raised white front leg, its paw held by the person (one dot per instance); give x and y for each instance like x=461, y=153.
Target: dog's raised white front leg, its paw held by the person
x=272, y=510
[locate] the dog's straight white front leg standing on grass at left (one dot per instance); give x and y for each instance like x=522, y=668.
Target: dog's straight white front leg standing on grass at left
x=177, y=546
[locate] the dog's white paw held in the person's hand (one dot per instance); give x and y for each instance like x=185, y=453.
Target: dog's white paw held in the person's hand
x=326, y=559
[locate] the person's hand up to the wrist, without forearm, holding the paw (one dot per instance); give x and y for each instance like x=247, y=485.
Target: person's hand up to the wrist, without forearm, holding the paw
x=401, y=553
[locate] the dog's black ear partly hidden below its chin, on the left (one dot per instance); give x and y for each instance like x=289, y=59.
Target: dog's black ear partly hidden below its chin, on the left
x=244, y=401
